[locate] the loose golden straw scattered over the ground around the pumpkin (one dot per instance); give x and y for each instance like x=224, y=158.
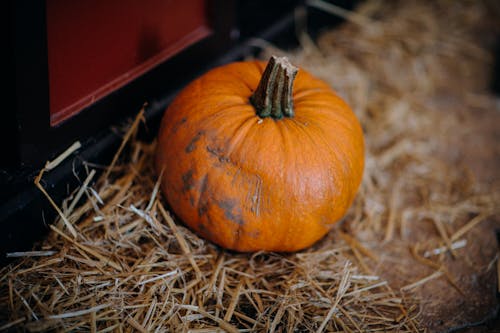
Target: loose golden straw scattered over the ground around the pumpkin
x=415, y=73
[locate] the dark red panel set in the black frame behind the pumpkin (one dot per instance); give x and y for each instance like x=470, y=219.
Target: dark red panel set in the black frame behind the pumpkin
x=95, y=46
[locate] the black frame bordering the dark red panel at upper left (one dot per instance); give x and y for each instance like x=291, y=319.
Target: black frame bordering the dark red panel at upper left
x=35, y=139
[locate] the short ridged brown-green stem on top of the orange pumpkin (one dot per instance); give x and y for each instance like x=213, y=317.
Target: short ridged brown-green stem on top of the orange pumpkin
x=273, y=96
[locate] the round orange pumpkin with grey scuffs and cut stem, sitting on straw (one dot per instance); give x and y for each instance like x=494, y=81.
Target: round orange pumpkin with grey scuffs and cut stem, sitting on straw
x=257, y=157
